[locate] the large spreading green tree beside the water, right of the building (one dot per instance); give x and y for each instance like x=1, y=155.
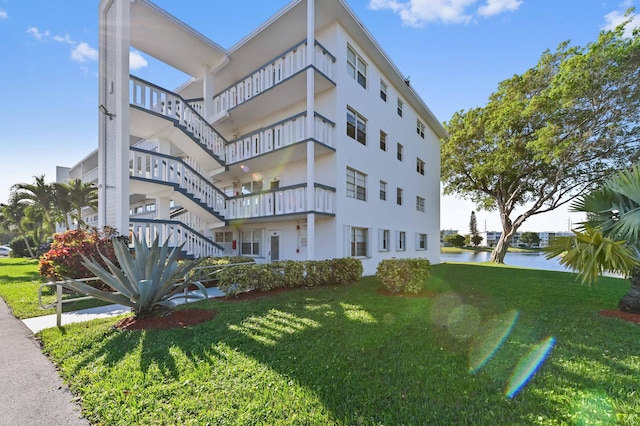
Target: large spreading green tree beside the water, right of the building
x=548, y=135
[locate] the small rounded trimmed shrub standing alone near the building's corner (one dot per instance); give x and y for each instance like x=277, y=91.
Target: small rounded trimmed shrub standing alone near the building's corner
x=404, y=275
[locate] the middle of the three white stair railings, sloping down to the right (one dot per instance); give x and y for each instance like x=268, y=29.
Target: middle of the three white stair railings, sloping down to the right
x=162, y=168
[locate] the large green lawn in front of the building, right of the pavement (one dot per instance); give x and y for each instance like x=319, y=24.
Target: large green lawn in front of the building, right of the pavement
x=348, y=355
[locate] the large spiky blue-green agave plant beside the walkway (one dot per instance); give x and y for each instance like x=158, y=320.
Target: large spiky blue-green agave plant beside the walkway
x=148, y=281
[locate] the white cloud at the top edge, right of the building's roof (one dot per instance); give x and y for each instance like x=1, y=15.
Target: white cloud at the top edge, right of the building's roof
x=418, y=12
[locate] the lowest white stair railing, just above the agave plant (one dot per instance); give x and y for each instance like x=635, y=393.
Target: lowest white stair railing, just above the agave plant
x=176, y=233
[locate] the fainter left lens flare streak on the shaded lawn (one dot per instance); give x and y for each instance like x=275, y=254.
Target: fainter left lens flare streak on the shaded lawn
x=495, y=332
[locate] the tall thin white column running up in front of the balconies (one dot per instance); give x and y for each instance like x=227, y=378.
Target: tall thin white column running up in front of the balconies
x=310, y=125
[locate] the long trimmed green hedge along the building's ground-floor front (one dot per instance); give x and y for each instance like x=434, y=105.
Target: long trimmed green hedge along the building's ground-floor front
x=289, y=273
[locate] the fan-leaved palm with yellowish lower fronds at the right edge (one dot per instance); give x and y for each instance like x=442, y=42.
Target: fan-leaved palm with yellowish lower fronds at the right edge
x=609, y=240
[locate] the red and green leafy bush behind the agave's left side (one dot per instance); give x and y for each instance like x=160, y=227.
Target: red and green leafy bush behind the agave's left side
x=64, y=260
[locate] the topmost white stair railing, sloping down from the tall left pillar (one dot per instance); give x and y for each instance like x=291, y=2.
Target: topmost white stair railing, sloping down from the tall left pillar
x=160, y=101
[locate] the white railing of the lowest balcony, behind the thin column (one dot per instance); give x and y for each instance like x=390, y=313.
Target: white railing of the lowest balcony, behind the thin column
x=281, y=201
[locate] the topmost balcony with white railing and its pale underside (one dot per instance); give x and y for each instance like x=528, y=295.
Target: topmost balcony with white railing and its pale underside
x=286, y=72
